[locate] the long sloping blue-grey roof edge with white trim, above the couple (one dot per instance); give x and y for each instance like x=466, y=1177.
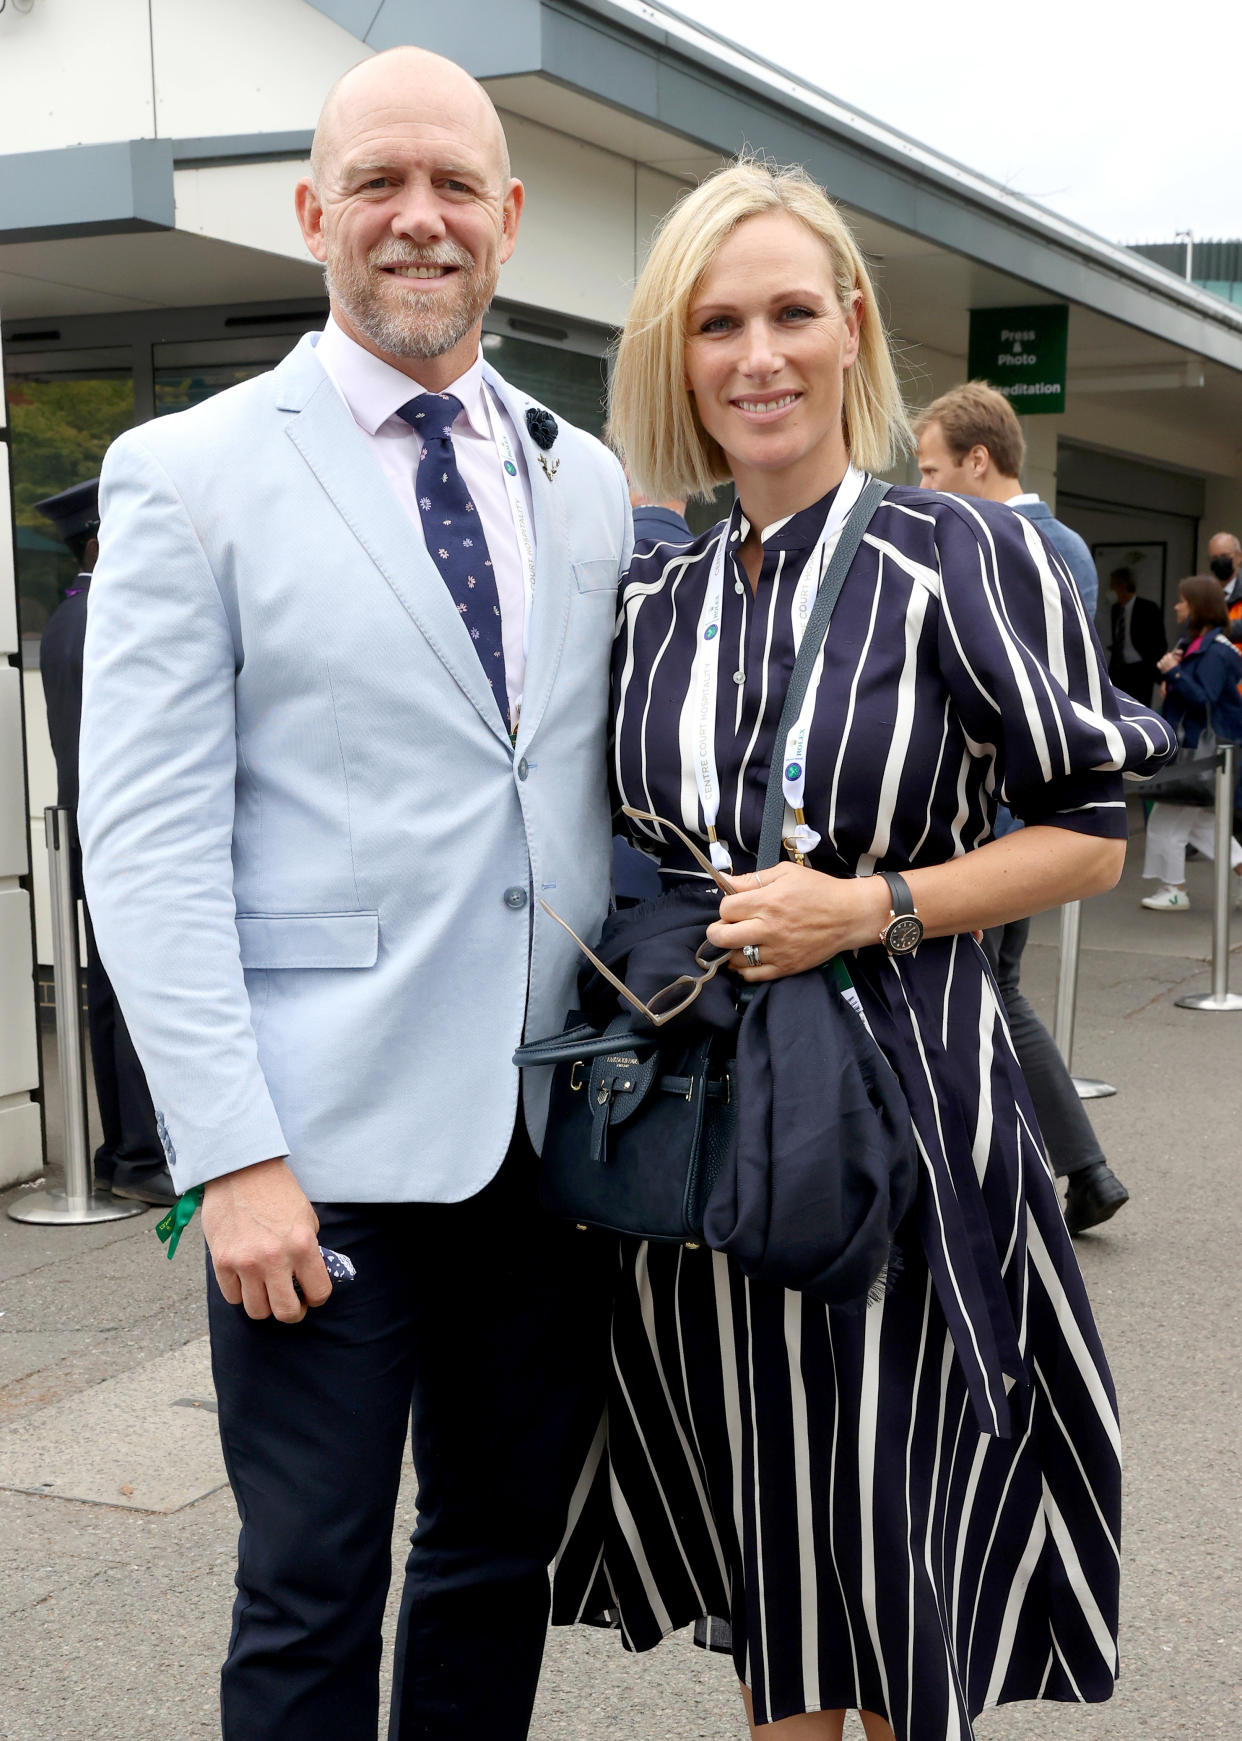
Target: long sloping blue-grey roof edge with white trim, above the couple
x=689, y=84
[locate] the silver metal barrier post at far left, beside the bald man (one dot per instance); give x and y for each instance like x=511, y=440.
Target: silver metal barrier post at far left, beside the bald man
x=78, y=1202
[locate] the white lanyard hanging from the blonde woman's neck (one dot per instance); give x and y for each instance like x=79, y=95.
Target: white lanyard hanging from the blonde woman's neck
x=705, y=678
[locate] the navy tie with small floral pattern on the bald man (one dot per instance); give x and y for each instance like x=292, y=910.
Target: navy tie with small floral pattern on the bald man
x=456, y=534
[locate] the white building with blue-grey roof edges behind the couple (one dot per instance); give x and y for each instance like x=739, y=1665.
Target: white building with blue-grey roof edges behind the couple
x=151, y=257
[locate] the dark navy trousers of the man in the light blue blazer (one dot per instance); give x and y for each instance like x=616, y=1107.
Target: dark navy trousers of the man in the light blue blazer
x=490, y=1324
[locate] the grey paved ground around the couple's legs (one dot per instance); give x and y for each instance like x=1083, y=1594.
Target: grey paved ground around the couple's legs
x=114, y=1618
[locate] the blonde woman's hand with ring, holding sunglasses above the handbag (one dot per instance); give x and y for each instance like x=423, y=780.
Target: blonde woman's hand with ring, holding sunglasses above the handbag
x=797, y=918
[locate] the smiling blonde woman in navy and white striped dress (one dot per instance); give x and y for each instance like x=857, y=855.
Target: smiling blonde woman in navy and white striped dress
x=910, y=1509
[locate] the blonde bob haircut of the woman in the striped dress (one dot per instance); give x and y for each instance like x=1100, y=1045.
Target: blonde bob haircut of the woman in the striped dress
x=654, y=417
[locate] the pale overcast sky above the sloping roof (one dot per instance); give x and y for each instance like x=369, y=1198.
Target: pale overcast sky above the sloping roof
x=1124, y=118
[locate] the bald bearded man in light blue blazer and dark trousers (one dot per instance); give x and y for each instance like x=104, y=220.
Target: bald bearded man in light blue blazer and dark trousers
x=344, y=722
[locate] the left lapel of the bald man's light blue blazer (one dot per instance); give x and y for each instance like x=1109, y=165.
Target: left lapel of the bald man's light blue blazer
x=332, y=445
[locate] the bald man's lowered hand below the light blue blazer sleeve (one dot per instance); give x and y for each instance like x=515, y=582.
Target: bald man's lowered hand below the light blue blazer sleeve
x=260, y=1232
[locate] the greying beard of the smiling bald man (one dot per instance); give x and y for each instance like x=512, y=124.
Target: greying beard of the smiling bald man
x=419, y=323
